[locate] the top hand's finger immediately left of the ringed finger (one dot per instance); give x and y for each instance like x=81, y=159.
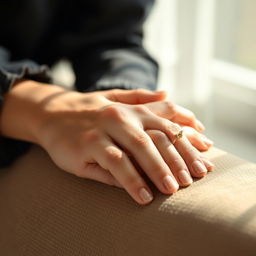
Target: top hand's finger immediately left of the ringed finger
x=171, y=157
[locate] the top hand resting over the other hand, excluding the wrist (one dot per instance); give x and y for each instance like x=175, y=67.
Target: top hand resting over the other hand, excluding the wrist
x=91, y=136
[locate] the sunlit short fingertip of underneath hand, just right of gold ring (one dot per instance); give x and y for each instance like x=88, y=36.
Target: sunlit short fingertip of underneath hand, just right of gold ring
x=197, y=139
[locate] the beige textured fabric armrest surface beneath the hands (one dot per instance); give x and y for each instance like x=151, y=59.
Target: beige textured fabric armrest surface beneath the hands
x=46, y=211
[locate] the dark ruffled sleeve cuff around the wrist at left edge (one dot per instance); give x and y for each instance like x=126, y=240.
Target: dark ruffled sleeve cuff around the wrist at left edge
x=11, y=71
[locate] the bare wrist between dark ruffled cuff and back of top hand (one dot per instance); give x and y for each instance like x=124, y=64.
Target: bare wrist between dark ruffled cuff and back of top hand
x=23, y=110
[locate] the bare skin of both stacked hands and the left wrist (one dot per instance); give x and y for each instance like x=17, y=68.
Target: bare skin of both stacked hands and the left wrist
x=114, y=136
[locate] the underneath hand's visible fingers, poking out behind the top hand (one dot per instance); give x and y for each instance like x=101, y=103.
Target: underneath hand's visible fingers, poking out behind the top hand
x=158, y=104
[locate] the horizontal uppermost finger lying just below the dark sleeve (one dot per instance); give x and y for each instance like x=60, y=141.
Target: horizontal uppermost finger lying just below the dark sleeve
x=139, y=96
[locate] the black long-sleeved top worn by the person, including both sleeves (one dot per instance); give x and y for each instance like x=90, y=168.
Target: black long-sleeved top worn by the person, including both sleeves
x=101, y=38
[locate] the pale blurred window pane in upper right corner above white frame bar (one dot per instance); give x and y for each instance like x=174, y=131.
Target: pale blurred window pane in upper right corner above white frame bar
x=235, y=37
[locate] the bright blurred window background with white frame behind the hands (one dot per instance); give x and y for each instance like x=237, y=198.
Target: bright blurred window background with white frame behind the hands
x=207, y=55
